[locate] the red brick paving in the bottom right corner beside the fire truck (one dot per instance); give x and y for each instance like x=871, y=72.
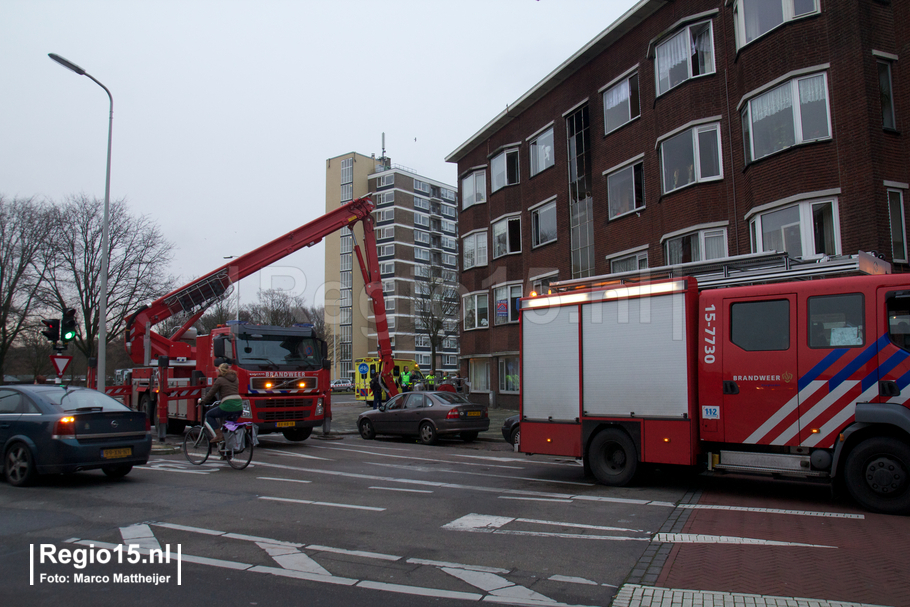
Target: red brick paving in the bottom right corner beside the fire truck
x=869, y=564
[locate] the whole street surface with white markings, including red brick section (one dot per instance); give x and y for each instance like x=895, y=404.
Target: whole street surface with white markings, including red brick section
x=337, y=520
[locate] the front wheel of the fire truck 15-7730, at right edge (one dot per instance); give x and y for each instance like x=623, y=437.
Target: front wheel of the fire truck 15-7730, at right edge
x=876, y=475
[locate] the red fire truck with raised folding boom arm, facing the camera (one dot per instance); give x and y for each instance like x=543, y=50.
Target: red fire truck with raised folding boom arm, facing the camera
x=283, y=372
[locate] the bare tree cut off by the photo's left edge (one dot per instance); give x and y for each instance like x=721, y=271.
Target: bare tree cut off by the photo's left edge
x=25, y=240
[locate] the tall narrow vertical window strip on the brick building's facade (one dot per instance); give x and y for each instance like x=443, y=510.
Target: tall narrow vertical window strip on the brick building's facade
x=581, y=204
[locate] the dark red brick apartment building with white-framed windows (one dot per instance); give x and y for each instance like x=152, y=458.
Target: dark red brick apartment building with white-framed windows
x=688, y=130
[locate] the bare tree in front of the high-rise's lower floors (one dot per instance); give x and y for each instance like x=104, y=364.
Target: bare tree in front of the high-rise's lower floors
x=434, y=307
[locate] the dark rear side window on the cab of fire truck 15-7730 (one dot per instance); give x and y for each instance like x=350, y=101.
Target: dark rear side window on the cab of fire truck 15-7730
x=760, y=326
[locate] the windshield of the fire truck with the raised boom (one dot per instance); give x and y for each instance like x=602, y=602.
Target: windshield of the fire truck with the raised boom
x=278, y=352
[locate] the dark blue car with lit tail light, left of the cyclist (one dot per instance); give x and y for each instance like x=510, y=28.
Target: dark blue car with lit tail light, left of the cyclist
x=46, y=429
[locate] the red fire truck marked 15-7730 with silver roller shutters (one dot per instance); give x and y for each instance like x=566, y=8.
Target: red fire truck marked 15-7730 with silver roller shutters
x=755, y=364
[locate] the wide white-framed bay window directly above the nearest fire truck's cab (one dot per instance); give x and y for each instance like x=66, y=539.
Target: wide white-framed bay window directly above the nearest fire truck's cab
x=806, y=230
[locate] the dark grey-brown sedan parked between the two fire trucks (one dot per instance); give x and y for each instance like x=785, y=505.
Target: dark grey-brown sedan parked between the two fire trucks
x=428, y=415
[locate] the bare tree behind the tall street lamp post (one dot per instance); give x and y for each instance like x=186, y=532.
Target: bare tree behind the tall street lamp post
x=138, y=258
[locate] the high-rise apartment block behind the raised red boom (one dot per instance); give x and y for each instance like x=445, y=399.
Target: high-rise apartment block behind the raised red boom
x=416, y=227
